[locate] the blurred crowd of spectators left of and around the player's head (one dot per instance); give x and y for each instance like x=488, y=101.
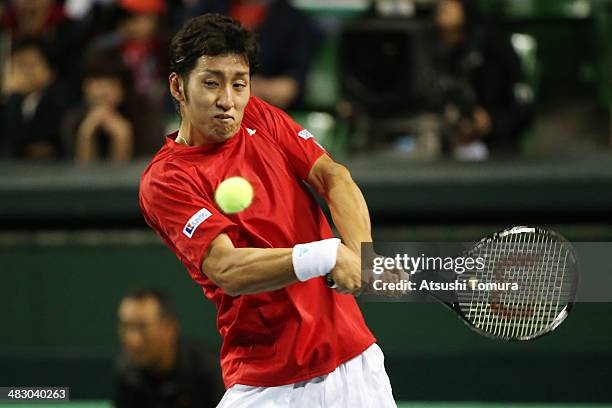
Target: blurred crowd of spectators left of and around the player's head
x=86, y=80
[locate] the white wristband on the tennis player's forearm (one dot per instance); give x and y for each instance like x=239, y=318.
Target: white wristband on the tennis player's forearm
x=315, y=258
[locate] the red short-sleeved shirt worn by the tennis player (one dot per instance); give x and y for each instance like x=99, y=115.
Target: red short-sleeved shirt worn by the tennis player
x=274, y=338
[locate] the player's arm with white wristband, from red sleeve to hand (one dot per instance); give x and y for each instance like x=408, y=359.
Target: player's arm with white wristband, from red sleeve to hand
x=175, y=208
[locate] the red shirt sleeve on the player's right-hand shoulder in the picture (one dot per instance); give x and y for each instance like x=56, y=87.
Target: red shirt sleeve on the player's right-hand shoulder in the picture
x=298, y=144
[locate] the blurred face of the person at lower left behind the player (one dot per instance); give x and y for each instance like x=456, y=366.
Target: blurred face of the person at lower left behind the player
x=144, y=335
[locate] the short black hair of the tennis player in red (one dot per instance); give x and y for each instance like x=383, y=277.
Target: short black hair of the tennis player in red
x=213, y=35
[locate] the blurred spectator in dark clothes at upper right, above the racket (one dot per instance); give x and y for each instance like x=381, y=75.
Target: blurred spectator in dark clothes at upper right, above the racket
x=488, y=102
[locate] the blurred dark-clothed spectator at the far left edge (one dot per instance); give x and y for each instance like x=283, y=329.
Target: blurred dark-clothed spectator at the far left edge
x=34, y=105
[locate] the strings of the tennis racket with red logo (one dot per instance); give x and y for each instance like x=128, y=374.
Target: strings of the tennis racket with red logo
x=538, y=263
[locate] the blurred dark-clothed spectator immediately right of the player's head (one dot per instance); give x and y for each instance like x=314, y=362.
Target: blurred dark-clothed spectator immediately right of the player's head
x=287, y=39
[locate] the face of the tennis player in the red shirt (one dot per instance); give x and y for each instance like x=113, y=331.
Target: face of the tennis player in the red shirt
x=216, y=93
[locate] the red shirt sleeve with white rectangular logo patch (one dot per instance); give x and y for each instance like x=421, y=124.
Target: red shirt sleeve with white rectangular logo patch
x=185, y=218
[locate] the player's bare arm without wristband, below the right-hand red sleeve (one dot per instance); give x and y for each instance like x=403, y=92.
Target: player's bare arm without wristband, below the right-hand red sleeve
x=346, y=203
